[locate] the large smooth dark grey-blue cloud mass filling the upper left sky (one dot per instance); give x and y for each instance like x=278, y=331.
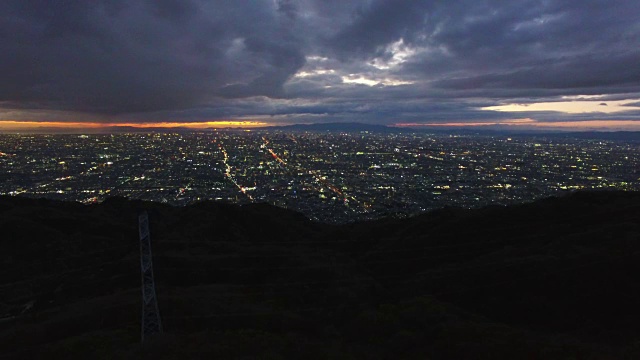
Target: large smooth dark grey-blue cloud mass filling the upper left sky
x=118, y=57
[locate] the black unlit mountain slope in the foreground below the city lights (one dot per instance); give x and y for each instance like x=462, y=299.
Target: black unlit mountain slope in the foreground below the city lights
x=556, y=279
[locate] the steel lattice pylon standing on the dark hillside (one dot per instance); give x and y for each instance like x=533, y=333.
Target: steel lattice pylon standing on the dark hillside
x=151, y=323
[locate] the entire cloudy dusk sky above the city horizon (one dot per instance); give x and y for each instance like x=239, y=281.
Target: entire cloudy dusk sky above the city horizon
x=556, y=64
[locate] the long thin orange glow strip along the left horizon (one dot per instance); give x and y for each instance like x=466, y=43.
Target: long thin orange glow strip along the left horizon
x=29, y=125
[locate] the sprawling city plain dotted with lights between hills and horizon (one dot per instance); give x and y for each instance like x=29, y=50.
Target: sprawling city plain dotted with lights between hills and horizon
x=328, y=176
